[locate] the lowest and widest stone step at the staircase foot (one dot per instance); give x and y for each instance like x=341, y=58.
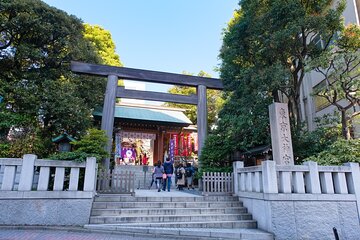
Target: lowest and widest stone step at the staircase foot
x=188, y=233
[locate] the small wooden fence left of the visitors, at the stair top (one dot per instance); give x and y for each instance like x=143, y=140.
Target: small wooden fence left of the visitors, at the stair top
x=116, y=182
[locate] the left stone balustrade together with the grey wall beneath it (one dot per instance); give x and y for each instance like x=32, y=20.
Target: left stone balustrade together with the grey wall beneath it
x=46, y=192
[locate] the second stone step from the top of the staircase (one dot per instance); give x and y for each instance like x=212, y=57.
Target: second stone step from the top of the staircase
x=160, y=204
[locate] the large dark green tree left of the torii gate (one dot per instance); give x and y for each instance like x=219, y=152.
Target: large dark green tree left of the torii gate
x=41, y=95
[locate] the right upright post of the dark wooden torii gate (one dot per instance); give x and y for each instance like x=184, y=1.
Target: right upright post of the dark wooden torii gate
x=201, y=117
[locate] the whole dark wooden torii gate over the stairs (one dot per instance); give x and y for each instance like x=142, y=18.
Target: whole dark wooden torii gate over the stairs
x=114, y=91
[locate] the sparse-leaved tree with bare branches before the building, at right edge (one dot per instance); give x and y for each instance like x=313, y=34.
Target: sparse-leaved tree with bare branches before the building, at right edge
x=340, y=69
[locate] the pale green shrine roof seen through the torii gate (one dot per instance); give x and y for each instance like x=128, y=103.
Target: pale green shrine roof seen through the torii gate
x=149, y=113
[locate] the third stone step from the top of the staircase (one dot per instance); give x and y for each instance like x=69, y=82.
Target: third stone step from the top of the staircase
x=166, y=211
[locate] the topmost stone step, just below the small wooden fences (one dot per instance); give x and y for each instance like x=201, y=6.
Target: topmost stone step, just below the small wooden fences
x=122, y=198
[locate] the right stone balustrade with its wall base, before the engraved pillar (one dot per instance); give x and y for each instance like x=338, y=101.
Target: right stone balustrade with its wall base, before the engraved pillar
x=301, y=200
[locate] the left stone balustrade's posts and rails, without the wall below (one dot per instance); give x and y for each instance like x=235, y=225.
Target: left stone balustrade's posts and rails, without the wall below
x=32, y=174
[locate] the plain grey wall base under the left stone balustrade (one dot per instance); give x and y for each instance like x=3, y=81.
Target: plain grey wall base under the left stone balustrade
x=59, y=212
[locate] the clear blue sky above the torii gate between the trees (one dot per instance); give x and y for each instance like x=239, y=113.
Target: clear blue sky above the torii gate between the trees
x=161, y=35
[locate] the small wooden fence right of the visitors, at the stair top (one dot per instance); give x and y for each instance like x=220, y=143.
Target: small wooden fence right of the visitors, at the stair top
x=216, y=183
